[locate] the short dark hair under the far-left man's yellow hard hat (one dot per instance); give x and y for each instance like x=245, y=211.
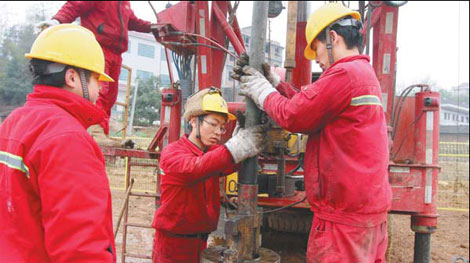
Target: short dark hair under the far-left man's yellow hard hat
x=41, y=75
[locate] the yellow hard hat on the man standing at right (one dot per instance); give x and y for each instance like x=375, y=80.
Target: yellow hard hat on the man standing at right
x=320, y=19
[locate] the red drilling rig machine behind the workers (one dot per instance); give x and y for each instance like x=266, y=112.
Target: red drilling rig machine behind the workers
x=270, y=187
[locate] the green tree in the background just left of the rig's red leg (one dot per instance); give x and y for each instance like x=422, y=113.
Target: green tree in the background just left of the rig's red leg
x=147, y=109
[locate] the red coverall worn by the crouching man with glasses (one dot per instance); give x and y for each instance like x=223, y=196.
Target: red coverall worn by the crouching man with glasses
x=190, y=199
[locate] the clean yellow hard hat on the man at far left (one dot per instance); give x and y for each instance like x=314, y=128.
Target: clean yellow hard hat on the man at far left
x=71, y=45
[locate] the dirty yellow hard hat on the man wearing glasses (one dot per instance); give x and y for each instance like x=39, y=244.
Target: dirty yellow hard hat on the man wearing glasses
x=206, y=101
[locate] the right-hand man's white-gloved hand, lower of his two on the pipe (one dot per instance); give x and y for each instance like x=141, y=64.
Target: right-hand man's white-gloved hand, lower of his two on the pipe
x=255, y=86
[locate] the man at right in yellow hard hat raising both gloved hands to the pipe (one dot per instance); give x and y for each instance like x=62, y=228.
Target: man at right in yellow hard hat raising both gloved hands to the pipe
x=346, y=158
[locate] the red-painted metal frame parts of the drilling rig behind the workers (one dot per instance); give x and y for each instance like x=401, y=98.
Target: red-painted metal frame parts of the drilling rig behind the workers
x=413, y=122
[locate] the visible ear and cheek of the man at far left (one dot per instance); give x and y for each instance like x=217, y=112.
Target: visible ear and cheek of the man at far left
x=73, y=84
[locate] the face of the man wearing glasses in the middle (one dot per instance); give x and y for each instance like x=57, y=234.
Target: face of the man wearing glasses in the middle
x=211, y=128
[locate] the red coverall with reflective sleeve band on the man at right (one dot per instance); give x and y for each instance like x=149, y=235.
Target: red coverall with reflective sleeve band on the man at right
x=346, y=159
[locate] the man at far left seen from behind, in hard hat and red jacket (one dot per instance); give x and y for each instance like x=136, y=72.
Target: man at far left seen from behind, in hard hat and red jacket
x=55, y=202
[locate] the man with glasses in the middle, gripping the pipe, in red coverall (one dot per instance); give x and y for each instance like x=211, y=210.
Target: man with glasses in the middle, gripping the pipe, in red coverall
x=191, y=166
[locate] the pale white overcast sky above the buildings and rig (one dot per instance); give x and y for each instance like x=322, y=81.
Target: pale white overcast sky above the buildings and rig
x=433, y=37
